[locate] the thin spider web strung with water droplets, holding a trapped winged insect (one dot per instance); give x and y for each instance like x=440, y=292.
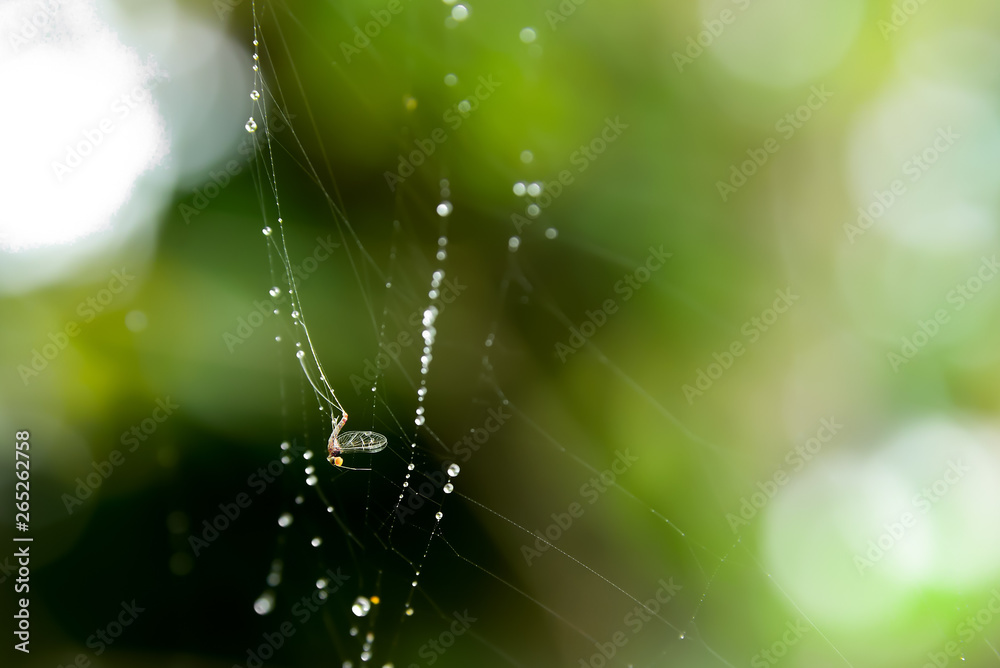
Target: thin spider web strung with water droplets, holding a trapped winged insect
x=450, y=547
